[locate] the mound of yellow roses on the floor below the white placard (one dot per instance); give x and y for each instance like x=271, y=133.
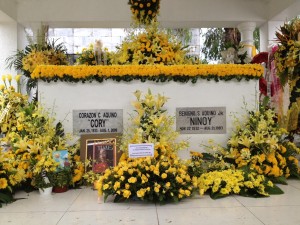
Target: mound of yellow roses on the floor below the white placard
x=145, y=181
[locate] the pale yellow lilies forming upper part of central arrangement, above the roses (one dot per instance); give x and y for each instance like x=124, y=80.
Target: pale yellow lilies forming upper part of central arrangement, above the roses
x=152, y=125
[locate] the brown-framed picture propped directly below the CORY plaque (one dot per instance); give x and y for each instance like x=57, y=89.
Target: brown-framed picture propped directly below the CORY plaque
x=102, y=150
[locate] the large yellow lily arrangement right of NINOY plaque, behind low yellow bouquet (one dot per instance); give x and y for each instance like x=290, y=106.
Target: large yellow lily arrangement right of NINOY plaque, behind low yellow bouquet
x=256, y=144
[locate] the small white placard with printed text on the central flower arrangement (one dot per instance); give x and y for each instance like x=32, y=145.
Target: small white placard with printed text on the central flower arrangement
x=141, y=150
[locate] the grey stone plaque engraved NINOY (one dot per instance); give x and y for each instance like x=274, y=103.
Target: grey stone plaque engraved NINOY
x=202, y=120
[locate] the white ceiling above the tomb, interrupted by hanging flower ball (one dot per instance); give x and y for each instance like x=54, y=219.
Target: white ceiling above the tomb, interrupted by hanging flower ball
x=173, y=13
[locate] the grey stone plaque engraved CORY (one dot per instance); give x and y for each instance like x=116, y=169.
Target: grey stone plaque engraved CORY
x=97, y=121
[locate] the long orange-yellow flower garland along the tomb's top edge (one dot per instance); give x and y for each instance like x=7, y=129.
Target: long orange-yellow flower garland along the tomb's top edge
x=159, y=73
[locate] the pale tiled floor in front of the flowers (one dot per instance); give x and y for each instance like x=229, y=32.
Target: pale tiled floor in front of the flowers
x=81, y=207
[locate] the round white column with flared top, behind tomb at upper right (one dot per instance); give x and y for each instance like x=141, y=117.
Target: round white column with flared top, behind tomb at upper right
x=246, y=29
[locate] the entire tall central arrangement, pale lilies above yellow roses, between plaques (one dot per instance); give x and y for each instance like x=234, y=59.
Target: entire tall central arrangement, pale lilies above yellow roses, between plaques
x=161, y=178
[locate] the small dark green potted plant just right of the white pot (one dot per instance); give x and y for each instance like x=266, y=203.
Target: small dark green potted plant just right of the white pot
x=61, y=179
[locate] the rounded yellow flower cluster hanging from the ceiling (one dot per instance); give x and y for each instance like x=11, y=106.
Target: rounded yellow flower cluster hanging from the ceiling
x=144, y=11
